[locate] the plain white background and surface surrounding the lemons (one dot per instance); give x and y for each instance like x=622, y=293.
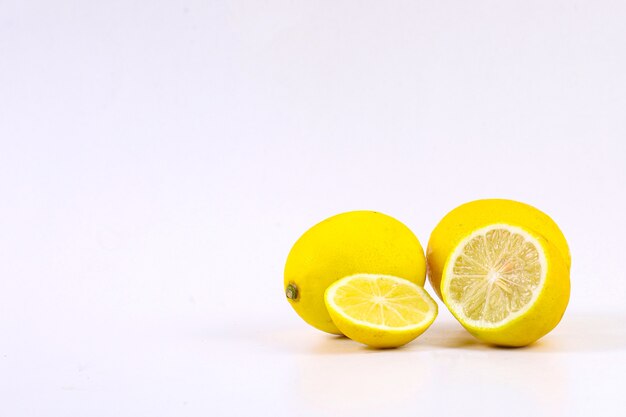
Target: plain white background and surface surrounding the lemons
x=158, y=160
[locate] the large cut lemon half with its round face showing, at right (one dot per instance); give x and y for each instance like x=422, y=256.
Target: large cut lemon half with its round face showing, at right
x=505, y=284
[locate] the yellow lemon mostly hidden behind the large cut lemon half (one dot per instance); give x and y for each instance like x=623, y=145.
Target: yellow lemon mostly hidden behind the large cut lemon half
x=470, y=216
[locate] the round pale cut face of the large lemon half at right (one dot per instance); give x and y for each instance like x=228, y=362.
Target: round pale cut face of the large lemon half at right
x=495, y=275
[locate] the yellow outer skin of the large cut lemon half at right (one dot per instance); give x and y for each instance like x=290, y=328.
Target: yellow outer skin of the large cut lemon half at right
x=542, y=316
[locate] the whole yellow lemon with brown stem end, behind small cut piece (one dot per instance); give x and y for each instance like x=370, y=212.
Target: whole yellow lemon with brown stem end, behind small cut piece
x=346, y=244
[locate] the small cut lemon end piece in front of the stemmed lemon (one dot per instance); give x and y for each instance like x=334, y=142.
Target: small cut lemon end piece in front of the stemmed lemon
x=380, y=310
